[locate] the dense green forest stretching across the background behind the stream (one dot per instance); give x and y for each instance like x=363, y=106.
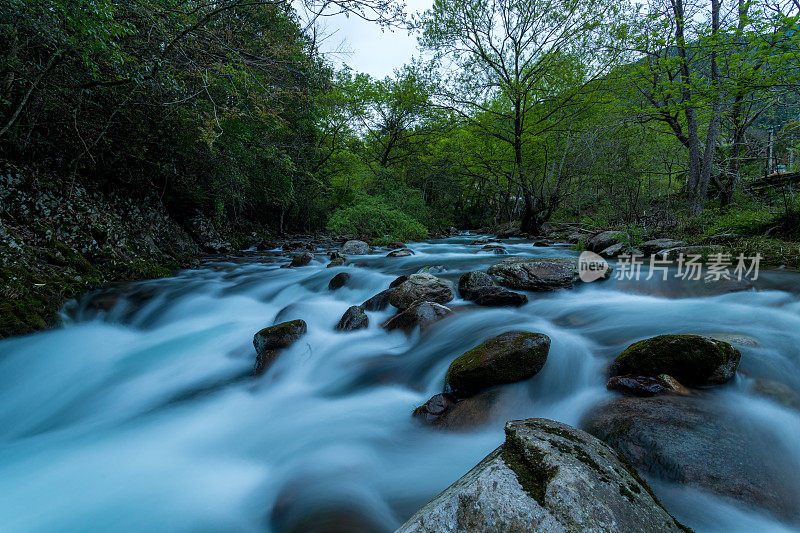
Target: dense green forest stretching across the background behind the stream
x=597, y=112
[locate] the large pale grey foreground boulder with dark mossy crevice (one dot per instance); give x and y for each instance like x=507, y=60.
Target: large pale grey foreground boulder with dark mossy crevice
x=546, y=477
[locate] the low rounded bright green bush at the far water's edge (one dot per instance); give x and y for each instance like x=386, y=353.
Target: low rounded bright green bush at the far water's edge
x=371, y=219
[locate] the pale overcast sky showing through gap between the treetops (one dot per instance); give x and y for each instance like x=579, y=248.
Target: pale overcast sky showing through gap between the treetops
x=366, y=48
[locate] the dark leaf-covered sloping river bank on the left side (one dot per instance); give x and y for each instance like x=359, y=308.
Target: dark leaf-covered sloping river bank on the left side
x=58, y=240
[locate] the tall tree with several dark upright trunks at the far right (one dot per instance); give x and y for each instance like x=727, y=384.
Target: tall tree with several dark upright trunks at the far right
x=701, y=69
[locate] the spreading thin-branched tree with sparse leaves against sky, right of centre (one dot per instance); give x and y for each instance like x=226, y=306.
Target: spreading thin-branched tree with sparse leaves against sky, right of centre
x=512, y=58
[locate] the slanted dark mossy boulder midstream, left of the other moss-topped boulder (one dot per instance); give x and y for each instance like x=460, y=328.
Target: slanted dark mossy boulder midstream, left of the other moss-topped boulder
x=508, y=358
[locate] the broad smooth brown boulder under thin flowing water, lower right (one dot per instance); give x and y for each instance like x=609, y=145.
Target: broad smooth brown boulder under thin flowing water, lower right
x=691, y=441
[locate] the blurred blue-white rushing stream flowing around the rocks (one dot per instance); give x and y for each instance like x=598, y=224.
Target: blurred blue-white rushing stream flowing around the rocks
x=144, y=416
